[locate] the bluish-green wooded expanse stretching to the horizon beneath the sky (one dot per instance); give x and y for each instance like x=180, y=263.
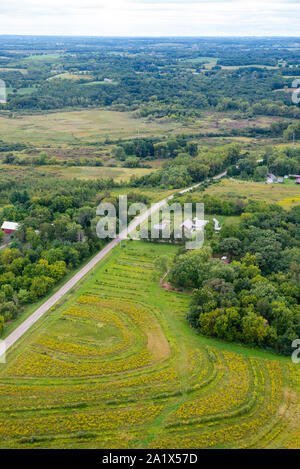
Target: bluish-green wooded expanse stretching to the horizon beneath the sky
x=156, y=78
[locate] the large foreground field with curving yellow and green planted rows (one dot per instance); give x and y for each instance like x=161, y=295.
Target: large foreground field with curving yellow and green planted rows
x=117, y=366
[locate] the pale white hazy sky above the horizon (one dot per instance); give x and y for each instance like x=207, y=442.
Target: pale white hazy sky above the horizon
x=151, y=17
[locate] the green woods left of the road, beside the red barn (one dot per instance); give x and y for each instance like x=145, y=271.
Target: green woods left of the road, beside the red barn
x=57, y=233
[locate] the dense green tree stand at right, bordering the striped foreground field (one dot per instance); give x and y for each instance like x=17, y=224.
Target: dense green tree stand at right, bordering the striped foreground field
x=255, y=298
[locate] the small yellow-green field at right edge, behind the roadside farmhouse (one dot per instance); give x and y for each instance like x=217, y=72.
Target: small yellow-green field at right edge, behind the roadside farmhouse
x=287, y=194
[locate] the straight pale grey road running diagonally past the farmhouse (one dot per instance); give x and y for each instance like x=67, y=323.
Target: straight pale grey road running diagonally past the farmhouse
x=31, y=320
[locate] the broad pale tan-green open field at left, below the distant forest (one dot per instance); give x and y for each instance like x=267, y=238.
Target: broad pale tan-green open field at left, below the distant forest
x=69, y=127
